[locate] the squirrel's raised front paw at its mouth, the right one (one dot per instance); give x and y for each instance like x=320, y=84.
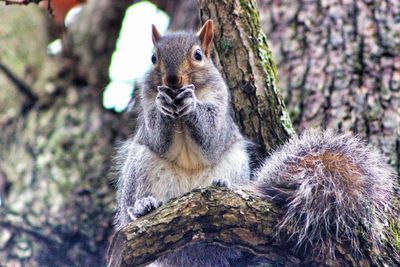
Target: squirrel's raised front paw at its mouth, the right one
x=185, y=101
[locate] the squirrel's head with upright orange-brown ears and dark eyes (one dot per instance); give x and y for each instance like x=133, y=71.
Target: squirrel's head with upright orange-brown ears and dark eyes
x=178, y=56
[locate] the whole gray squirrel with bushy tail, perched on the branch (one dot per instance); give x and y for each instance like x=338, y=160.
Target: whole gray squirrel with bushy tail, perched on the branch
x=186, y=138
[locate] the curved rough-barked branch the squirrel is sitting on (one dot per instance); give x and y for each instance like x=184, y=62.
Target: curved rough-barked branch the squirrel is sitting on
x=228, y=218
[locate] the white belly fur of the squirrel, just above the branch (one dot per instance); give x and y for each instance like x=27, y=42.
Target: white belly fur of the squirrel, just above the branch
x=166, y=180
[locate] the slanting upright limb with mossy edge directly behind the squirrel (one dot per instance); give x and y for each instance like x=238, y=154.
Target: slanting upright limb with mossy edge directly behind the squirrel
x=246, y=63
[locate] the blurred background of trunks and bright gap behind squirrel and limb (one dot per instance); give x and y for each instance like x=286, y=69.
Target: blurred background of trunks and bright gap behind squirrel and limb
x=65, y=95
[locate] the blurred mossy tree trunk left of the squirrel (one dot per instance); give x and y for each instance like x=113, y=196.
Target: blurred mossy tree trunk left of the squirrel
x=57, y=204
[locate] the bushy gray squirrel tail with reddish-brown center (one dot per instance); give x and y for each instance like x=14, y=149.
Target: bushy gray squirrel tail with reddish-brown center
x=331, y=187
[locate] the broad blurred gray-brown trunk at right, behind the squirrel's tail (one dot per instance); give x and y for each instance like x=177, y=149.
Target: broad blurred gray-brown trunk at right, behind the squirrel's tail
x=339, y=66
